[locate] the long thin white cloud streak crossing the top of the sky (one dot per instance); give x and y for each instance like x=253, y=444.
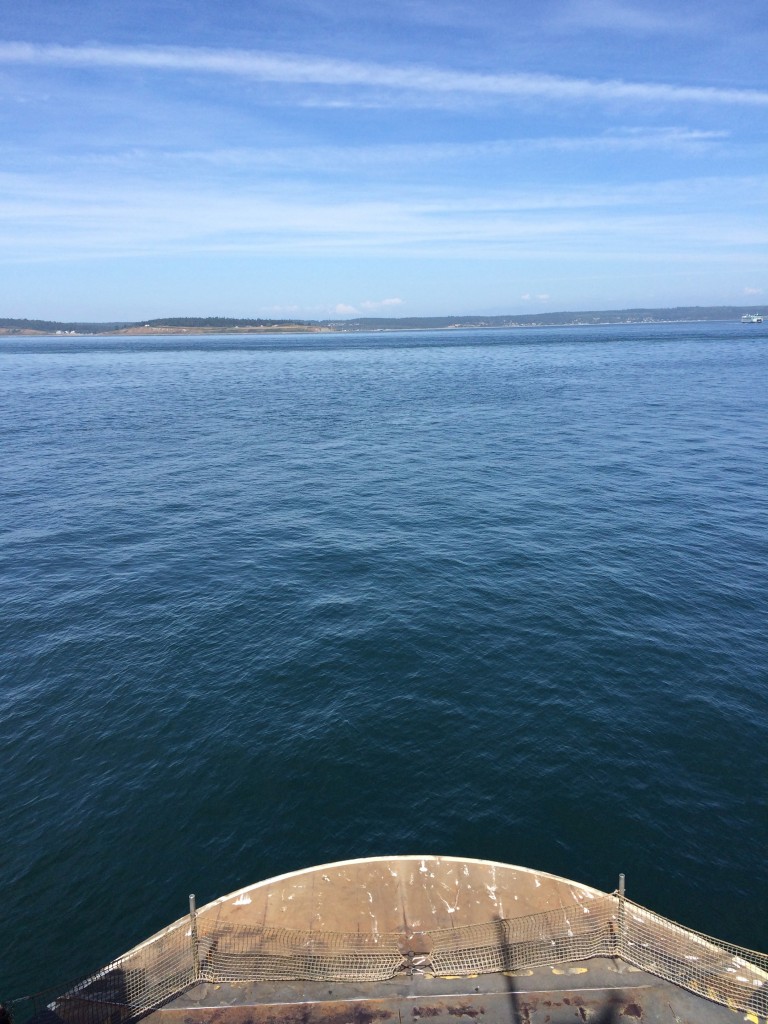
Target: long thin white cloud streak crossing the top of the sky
x=294, y=70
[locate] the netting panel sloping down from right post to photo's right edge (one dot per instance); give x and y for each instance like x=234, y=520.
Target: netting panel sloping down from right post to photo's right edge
x=719, y=971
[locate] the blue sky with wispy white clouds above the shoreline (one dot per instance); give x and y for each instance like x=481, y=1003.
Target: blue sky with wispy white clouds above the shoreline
x=315, y=159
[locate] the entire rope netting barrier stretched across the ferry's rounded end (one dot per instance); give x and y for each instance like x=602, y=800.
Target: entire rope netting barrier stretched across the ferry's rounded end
x=165, y=966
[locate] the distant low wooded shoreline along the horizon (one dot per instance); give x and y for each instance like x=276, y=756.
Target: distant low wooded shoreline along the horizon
x=247, y=326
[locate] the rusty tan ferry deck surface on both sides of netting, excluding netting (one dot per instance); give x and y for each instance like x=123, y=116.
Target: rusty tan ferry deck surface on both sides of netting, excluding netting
x=415, y=899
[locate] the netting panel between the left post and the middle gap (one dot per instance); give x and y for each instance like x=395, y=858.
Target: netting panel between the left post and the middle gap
x=229, y=954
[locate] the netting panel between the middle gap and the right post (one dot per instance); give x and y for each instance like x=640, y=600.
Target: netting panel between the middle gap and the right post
x=537, y=941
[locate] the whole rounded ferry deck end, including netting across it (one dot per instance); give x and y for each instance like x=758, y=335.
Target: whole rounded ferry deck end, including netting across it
x=410, y=940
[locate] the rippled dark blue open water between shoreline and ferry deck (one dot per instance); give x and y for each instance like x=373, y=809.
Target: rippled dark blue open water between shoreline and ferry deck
x=270, y=603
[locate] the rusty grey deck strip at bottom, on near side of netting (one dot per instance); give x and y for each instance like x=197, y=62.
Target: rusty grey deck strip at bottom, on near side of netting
x=591, y=993
